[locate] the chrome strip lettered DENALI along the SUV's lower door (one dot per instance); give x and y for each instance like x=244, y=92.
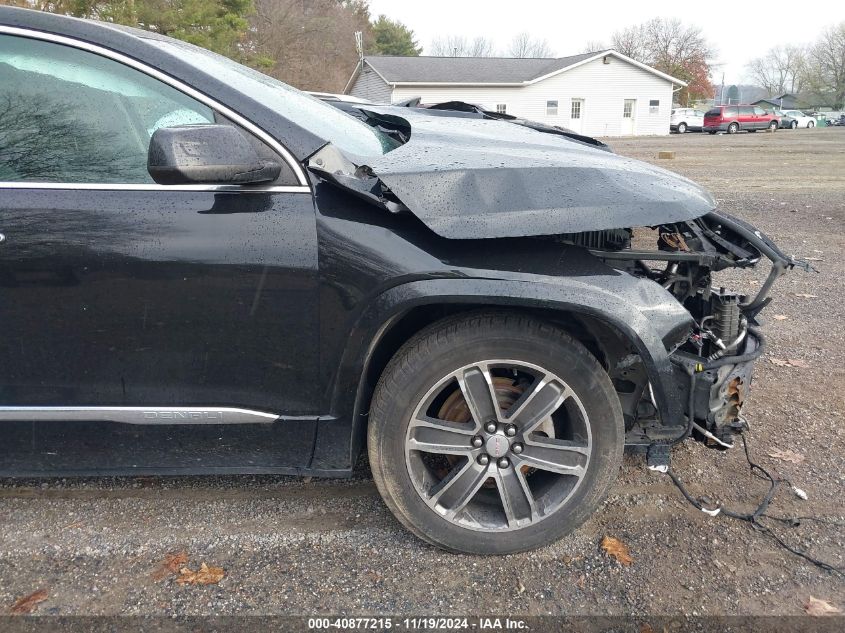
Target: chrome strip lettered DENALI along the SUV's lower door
x=138, y=415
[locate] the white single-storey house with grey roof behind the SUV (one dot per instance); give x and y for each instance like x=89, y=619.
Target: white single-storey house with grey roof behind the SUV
x=603, y=93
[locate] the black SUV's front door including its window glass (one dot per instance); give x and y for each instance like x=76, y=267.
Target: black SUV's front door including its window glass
x=118, y=292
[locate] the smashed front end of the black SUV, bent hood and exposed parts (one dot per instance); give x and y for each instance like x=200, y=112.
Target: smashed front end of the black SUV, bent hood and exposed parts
x=470, y=179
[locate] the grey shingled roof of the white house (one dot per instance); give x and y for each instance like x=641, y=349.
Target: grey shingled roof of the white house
x=484, y=70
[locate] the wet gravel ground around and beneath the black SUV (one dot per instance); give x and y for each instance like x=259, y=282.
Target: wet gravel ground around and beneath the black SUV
x=294, y=546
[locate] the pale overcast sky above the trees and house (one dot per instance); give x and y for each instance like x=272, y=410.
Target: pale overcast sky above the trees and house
x=568, y=25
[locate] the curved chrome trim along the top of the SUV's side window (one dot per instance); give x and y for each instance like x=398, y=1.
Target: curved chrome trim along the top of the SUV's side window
x=170, y=81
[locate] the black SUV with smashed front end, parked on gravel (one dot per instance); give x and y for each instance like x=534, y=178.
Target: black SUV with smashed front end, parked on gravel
x=206, y=271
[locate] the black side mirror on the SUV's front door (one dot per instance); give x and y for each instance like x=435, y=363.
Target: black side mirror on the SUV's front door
x=206, y=154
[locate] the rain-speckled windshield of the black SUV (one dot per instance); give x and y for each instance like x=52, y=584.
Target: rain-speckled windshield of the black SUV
x=341, y=130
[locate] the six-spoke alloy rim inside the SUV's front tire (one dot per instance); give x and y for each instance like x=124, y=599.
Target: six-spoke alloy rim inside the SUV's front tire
x=498, y=445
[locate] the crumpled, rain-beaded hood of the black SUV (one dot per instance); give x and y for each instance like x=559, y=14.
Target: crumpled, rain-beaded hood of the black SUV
x=470, y=178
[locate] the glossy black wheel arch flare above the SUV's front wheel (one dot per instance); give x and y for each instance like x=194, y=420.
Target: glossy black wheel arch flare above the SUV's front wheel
x=645, y=314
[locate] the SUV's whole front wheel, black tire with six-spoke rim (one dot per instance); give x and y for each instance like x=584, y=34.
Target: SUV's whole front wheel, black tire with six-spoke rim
x=493, y=433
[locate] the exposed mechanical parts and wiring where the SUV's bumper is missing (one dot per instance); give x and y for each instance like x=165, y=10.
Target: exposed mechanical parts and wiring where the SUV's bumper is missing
x=712, y=367
